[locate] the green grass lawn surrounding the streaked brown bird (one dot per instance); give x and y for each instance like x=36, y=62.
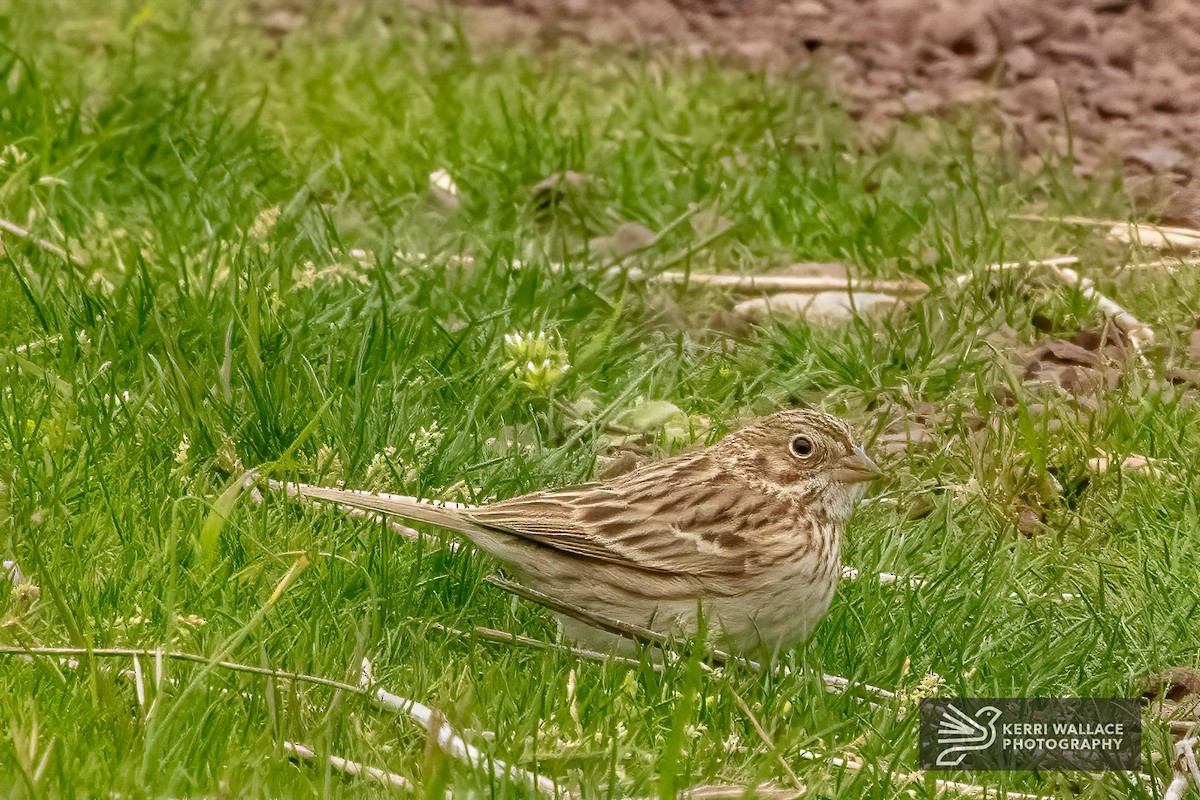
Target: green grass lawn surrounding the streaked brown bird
x=152, y=139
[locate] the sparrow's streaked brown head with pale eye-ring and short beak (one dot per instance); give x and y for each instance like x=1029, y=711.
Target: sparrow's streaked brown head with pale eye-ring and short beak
x=803, y=454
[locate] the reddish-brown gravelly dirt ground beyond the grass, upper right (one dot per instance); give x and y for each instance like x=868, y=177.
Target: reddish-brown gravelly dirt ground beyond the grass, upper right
x=1126, y=74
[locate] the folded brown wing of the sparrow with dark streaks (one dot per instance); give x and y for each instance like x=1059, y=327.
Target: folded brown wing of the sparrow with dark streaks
x=651, y=520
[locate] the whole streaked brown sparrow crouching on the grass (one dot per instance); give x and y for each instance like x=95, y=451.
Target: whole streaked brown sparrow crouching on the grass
x=749, y=528
